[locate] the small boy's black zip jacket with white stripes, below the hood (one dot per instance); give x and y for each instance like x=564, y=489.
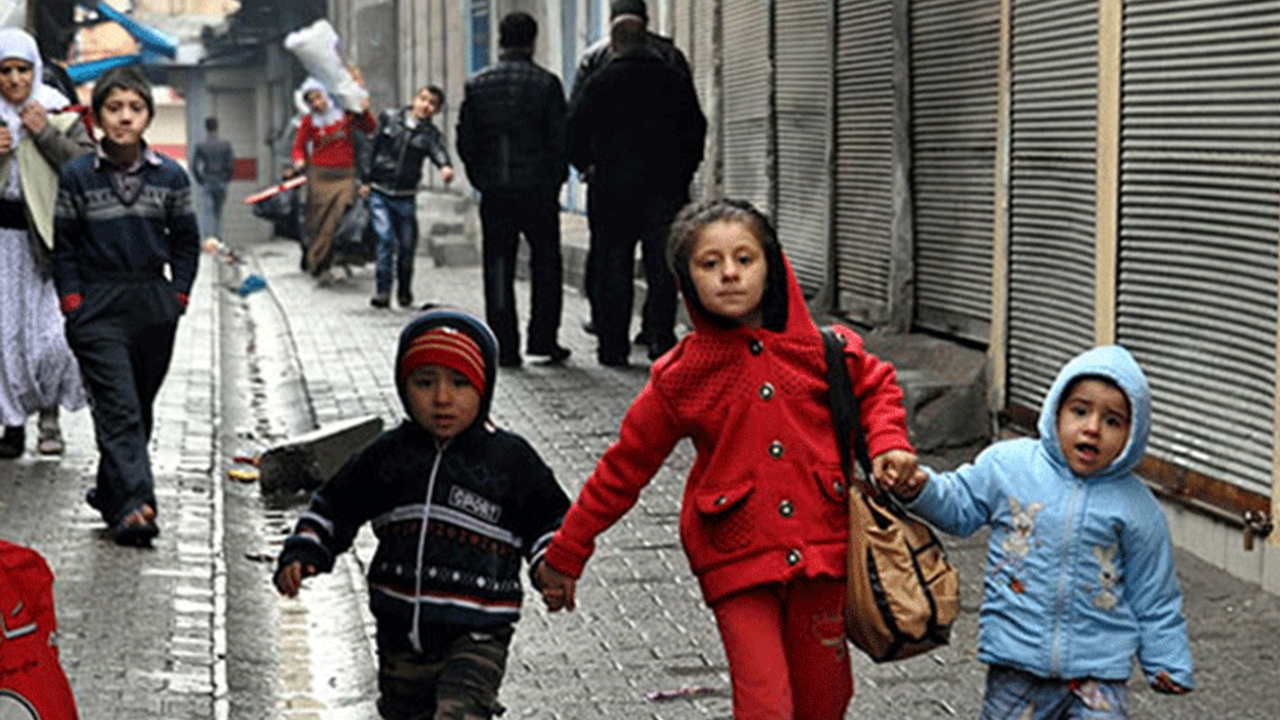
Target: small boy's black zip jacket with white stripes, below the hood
x=493, y=503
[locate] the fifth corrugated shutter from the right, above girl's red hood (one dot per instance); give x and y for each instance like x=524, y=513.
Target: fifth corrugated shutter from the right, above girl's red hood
x=803, y=47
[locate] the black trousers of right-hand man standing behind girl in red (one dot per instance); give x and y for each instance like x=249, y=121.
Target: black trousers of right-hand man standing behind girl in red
x=620, y=217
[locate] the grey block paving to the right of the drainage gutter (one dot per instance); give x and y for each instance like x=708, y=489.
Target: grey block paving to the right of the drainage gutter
x=642, y=625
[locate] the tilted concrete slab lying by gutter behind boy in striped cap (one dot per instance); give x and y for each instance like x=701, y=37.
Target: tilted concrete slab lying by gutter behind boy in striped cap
x=310, y=459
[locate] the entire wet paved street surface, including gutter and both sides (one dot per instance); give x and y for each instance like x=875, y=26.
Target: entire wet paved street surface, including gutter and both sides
x=193, y=630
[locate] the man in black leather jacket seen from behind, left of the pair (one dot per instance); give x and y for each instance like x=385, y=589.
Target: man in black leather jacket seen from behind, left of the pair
x=511, y=138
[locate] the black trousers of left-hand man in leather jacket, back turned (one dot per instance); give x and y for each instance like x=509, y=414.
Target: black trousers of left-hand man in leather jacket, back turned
x=505, y=215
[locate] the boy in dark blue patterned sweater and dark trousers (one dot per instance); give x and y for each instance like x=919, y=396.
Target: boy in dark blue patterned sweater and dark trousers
x=126, y=250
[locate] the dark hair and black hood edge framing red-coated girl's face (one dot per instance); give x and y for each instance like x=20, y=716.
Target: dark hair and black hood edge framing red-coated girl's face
x=684, y=236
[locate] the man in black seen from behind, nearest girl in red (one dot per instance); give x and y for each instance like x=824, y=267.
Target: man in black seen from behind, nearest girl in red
x=637, y=131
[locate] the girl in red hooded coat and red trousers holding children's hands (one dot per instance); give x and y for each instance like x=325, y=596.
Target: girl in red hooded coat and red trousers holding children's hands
x=765, y=518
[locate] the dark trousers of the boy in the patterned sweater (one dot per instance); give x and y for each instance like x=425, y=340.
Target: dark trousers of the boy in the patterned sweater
x=122, y=338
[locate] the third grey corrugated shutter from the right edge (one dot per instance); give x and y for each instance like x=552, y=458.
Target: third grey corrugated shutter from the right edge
x=956, y=61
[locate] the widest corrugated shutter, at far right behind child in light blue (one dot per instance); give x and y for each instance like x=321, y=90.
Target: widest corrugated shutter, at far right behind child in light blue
x=1199, y=227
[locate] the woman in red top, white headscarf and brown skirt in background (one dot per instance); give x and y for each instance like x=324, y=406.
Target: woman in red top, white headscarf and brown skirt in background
x=324, y=148
